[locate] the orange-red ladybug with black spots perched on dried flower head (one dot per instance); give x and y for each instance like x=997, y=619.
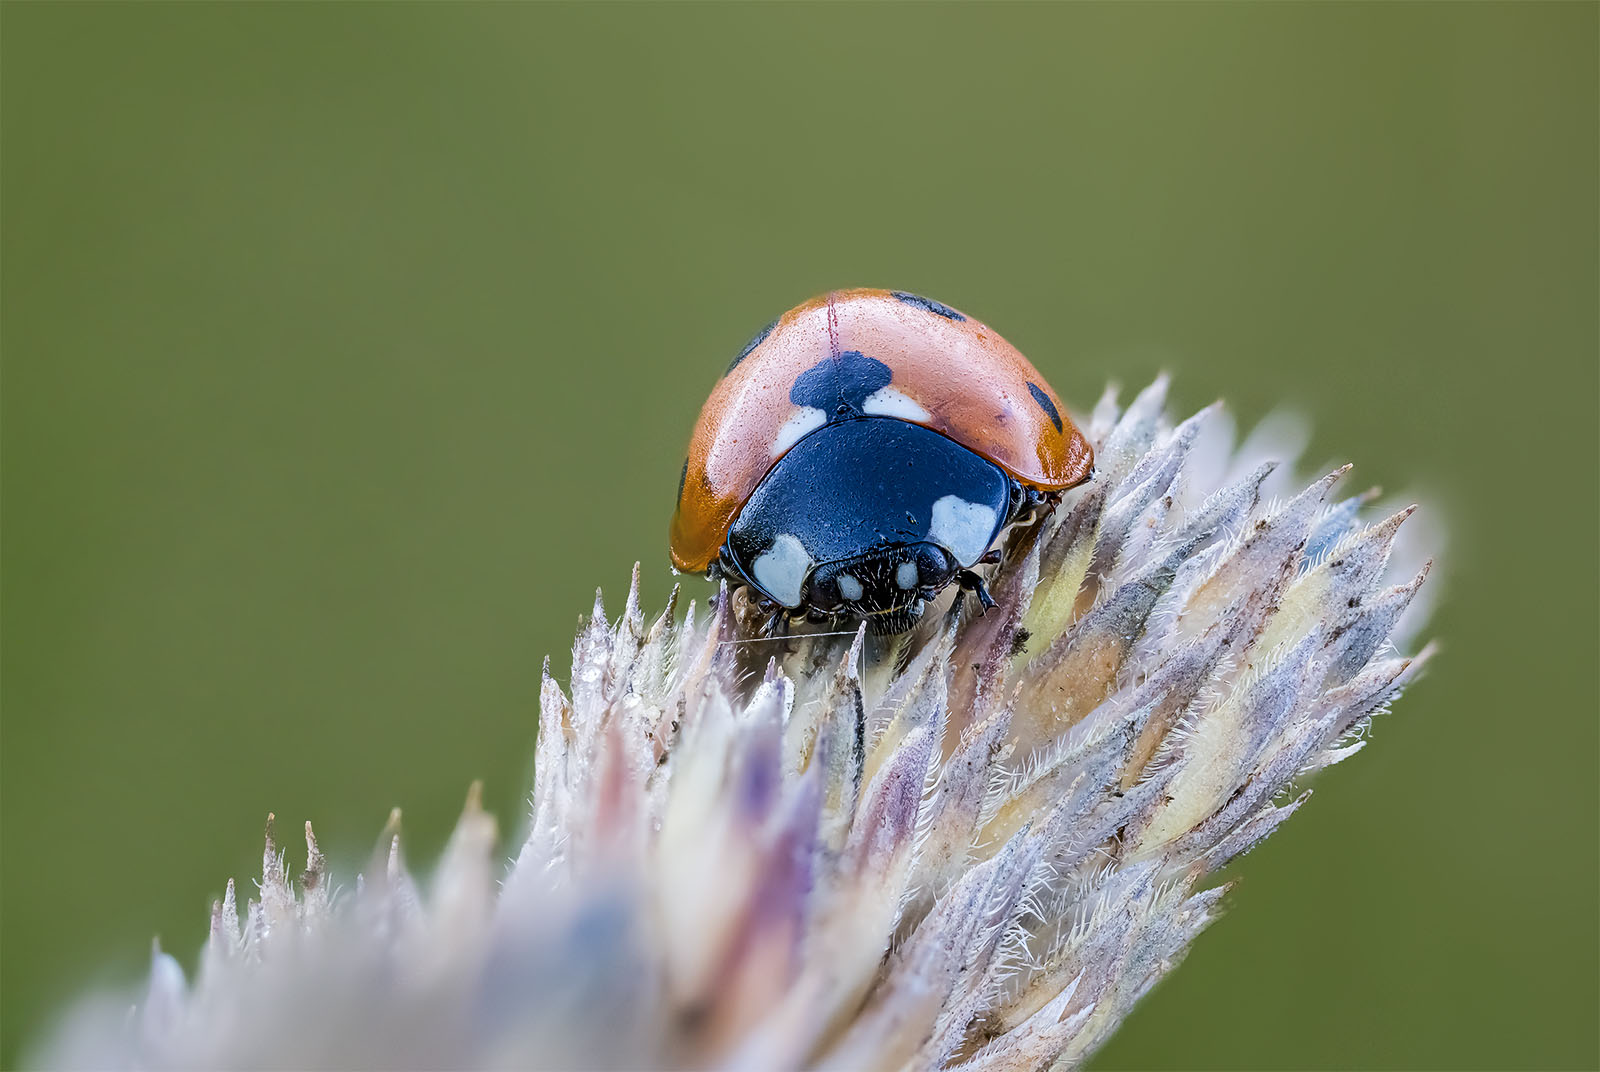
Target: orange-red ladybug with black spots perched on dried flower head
x=863, y=452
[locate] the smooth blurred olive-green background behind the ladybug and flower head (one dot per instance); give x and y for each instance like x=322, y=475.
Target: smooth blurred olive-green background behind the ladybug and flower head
x=350, y=348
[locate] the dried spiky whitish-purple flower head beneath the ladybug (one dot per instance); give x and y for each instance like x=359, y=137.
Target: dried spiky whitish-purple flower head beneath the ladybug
x=970, y=847
